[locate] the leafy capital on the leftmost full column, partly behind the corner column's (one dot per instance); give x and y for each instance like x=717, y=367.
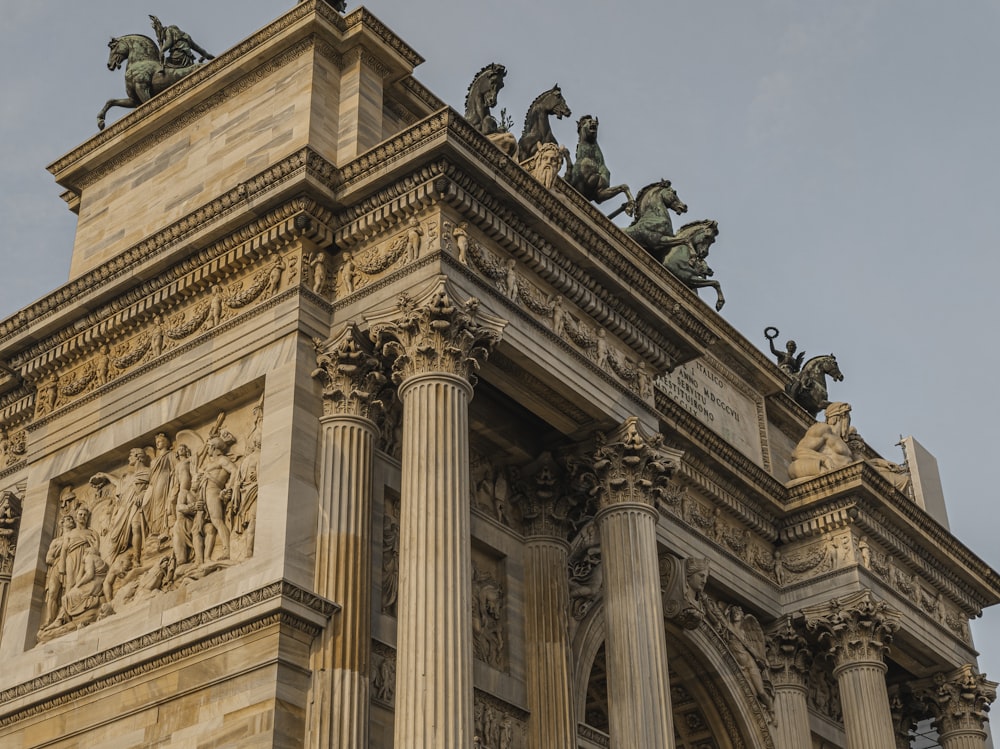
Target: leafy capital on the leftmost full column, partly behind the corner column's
x=351, y=375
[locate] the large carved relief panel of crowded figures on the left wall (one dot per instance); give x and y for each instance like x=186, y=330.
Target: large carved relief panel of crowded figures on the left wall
x=181, y=508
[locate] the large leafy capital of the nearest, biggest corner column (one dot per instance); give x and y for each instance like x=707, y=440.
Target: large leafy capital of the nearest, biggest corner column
x=432, y=333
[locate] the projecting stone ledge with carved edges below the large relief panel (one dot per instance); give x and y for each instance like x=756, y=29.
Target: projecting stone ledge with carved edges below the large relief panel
x=277, y=602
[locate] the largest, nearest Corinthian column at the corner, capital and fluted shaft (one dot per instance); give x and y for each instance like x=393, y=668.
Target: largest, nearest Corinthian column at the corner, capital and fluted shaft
x=436, y=344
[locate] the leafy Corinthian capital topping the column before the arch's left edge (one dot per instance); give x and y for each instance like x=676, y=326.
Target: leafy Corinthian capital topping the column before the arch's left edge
x=632, y=466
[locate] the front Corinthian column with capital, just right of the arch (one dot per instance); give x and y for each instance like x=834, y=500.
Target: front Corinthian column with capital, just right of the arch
x=858, y=629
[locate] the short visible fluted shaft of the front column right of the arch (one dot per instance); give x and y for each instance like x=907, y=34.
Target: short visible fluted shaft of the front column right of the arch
x=864, y=699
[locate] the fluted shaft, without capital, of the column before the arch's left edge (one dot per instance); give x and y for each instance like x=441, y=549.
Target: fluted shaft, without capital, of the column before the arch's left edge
x=636, y=647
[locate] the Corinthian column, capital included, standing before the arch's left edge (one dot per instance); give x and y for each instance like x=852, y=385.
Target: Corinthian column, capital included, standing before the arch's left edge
x=629, y=465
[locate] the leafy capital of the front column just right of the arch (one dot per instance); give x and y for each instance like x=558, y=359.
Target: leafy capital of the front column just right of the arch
x=856, y=628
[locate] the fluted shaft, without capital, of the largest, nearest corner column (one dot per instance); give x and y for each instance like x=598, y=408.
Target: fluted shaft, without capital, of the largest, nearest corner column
x=434, y=636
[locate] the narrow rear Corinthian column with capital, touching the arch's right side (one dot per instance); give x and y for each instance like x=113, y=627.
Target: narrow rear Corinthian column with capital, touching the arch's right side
x=789, y=658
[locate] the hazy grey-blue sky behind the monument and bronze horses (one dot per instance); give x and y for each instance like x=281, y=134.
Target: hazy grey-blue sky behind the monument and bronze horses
x=848, y=150
